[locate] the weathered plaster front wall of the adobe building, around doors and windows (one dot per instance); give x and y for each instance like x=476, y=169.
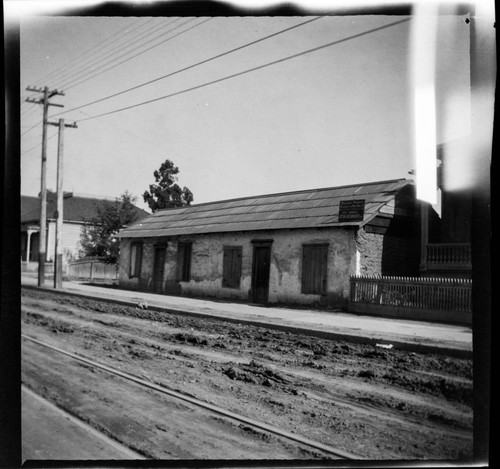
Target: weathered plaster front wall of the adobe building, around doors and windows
x=285, y=273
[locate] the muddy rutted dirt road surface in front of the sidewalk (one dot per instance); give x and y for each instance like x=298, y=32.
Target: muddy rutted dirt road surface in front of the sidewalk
x=362, y=399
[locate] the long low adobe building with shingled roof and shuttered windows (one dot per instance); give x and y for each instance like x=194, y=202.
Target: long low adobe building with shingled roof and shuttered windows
x=293, y=248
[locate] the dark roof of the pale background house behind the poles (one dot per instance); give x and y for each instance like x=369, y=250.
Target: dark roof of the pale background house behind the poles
x=75, y=208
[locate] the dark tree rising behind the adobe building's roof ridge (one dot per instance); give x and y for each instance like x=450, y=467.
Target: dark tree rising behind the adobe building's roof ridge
x=166, y=193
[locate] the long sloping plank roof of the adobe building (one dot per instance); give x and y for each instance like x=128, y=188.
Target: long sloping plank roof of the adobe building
x=303, y=209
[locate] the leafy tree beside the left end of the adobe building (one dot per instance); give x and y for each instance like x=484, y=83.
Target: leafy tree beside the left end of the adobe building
x=98, y=237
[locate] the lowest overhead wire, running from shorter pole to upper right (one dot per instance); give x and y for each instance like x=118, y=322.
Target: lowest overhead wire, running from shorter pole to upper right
x=244, y=72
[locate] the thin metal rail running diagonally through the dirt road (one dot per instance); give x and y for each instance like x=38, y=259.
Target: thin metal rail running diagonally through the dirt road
x=204, y=405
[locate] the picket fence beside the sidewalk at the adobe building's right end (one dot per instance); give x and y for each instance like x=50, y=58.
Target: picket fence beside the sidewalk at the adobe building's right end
x=439, y=299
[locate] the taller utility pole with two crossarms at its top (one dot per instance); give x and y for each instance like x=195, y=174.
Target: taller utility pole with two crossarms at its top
x=42, y=245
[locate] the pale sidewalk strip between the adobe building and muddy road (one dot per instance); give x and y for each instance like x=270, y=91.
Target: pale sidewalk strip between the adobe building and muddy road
x=404, y=334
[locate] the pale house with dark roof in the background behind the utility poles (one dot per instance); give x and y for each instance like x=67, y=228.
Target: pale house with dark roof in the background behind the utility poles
x=78, y=210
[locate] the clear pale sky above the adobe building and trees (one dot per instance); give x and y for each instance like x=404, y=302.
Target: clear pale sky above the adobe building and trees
x=337, y=115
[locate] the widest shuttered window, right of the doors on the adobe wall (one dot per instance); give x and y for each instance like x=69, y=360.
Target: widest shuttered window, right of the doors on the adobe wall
x=314, y=269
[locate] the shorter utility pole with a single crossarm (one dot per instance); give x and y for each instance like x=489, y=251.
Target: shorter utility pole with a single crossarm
x=58, y=258
